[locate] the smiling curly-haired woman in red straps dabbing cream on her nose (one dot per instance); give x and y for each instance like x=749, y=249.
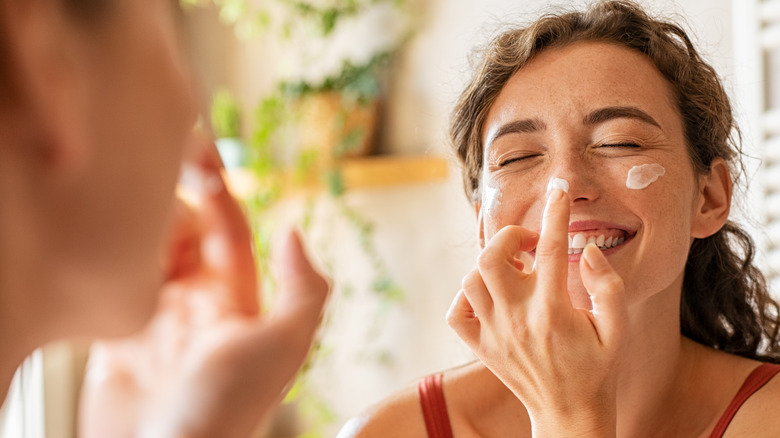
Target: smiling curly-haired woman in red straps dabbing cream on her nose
x=612, y=297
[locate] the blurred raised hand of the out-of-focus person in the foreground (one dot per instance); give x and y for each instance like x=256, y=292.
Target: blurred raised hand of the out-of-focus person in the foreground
x=208, y=364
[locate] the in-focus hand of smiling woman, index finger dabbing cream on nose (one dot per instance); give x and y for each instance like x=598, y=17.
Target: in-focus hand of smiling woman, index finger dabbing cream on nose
x=561, y=362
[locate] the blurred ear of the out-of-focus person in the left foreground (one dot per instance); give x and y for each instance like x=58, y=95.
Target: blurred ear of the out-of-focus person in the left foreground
x=46, y=82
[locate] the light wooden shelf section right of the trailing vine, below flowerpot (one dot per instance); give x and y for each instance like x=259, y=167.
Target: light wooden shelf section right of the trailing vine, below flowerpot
x=392, y=170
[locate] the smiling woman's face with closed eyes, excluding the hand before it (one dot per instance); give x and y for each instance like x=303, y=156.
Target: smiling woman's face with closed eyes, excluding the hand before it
x=588, y=113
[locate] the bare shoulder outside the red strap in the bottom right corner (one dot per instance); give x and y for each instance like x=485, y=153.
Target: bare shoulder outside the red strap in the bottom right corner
x=759, y=416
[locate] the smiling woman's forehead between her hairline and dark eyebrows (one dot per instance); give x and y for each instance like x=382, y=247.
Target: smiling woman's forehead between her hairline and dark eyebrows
x=568, y=83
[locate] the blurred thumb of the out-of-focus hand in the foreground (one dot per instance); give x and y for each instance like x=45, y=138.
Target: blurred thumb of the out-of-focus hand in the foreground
x=302, y=290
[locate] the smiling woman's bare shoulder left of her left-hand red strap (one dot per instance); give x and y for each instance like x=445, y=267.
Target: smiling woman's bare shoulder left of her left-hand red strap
x=399, y=415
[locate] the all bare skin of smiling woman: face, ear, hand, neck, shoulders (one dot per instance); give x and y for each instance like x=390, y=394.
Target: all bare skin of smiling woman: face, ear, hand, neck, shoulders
x=584, y=344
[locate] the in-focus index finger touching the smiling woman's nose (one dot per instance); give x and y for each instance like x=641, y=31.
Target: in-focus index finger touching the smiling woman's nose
x=552, y=259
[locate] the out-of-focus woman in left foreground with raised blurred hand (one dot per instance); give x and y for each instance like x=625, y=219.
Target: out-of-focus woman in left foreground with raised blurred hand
x=96, y=108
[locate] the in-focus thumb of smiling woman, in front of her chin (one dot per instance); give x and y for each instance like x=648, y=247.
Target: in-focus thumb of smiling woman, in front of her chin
x=607, y=294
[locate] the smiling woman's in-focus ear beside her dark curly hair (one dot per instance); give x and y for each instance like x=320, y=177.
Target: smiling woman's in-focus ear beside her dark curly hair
x=714, y=201
